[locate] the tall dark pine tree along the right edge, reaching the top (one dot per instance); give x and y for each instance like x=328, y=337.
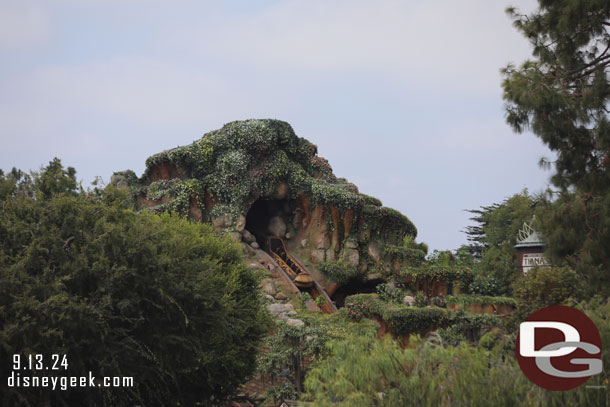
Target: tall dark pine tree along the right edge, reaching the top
x=562, y=95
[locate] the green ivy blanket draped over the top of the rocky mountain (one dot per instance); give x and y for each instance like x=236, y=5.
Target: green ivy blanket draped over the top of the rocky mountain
x=251, y=158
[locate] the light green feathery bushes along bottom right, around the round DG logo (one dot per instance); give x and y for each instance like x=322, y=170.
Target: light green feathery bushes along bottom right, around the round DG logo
x=362, y=371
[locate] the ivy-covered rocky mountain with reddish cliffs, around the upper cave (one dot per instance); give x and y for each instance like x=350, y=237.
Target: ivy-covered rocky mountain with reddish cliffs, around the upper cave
x=256, y=178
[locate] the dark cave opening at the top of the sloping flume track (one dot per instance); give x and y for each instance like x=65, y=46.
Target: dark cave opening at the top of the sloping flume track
x=267, y=217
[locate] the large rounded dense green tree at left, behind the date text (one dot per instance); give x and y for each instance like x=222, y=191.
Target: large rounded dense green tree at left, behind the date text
x=121, y=293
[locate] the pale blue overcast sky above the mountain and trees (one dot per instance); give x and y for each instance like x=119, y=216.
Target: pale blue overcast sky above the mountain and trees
x=402, y=97
